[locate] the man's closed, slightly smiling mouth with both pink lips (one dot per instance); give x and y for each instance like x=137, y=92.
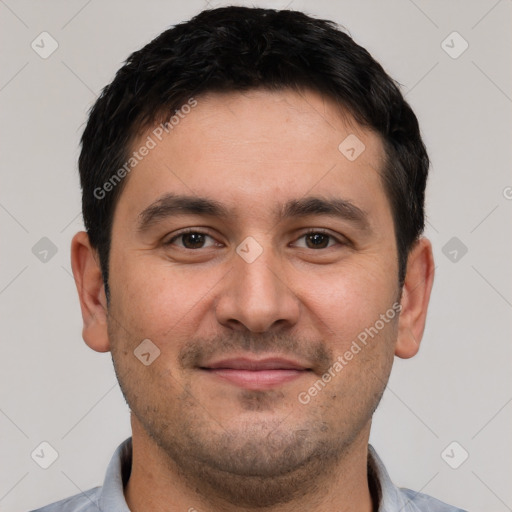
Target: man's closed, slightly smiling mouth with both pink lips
x=256, y=374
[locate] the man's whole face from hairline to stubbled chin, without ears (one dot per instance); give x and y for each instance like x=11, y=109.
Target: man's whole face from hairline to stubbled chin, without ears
x=248, y=310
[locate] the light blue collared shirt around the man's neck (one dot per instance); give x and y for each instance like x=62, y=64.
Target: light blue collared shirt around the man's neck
x=110, y=496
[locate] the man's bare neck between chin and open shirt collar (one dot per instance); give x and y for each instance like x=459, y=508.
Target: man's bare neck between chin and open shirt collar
x=158, y=484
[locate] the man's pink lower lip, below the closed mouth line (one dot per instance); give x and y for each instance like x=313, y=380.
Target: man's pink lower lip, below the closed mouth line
x=257, y=379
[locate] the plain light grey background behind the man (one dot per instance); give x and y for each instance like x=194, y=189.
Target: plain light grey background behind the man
x=53, y=388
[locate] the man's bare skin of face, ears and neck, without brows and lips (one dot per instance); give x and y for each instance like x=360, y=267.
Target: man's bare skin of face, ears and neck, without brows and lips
x=201, y=441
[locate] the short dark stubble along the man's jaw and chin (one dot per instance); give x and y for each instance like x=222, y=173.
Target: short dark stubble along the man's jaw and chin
x=254, y=464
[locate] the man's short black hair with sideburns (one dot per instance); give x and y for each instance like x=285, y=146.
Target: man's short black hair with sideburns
x=236, y=49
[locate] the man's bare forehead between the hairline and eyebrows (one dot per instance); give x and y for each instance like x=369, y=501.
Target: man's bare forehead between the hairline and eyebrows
x=250, y=148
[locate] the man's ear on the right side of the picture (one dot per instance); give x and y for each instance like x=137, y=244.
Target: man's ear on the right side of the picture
x=415, y=298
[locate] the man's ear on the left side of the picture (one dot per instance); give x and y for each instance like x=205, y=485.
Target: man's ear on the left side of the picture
x=91, y=291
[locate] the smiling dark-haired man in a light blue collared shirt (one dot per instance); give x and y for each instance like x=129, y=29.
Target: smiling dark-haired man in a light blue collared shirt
x=253, y=188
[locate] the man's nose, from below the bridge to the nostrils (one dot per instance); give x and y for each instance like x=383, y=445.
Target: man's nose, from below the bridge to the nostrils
x=256, y=297
